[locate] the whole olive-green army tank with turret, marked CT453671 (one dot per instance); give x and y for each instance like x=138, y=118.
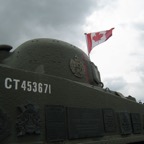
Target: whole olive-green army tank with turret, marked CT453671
x=50, y=92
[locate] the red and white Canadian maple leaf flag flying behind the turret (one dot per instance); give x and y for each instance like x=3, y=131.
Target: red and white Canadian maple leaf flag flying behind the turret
x=96, y=38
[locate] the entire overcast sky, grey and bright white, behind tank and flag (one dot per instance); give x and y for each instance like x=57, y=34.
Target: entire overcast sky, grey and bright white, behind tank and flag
x=120, y=59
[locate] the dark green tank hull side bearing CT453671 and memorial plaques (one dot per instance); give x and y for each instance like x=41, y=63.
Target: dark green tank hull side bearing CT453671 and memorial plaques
x=38, y=108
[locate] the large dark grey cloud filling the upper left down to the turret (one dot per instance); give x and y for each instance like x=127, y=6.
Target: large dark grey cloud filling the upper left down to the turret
x=23, y=20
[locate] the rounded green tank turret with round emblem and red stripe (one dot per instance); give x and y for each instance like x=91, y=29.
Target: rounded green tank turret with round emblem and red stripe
x=54, y=57
